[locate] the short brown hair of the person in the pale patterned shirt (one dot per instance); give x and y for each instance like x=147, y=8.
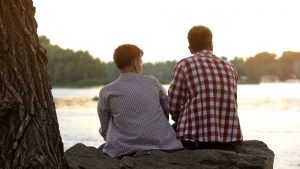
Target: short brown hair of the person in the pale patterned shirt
x=125, y=54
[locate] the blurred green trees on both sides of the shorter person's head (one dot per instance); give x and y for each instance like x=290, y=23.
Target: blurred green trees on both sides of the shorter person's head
x=78, y=68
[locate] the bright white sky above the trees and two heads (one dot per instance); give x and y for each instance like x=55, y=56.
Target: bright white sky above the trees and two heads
x=159, y=27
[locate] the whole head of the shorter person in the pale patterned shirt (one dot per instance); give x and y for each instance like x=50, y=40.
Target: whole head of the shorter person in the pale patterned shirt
x=127, y=57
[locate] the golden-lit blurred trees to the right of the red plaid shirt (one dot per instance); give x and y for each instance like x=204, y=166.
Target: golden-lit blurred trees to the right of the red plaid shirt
x=268, y=67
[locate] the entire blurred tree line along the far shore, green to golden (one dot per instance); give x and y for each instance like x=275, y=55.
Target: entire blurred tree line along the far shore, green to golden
x=78, y=68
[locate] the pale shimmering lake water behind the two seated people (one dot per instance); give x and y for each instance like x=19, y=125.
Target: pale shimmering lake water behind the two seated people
x=269, y=112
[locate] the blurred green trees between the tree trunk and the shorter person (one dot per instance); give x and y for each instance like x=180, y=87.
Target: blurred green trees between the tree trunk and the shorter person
x=72, y=68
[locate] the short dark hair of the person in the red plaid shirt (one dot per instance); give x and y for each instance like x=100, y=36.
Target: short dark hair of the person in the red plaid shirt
x=199, y=37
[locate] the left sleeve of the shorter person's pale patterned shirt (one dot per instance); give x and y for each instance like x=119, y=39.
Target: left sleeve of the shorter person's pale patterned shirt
x=103, y=113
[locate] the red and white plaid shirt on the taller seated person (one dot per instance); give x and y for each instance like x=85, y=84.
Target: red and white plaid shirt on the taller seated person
x=203, y=99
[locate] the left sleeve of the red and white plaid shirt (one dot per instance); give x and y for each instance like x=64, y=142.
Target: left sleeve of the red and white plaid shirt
x=176, y=92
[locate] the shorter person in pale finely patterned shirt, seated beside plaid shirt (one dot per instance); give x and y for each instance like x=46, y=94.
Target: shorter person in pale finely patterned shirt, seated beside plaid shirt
x=129, y=109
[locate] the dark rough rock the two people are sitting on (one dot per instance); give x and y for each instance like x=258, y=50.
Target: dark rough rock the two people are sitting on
x=250, y=154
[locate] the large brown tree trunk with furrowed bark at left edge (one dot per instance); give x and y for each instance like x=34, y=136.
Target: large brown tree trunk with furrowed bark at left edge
x=29, y=133
